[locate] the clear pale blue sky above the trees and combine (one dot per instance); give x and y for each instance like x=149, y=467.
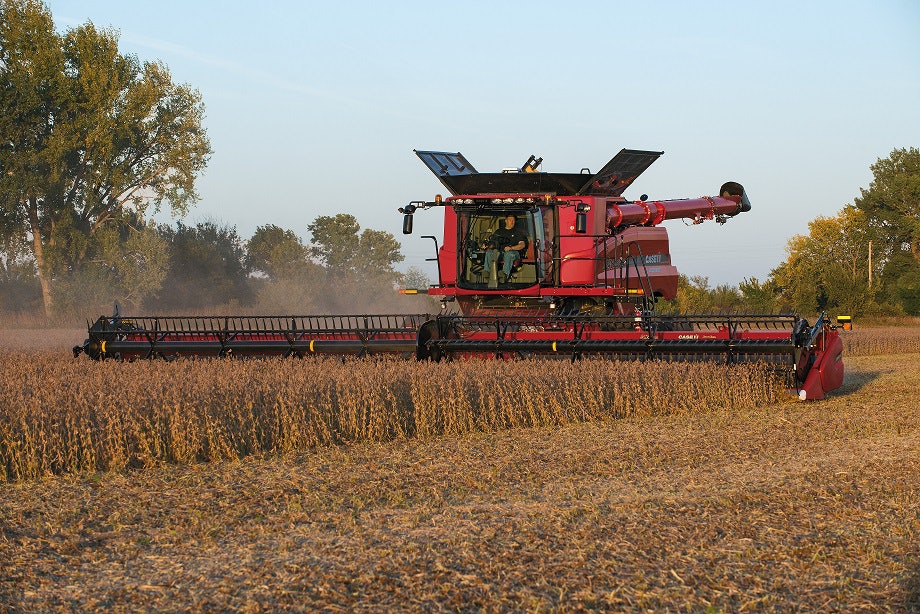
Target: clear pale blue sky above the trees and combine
x=314, y=108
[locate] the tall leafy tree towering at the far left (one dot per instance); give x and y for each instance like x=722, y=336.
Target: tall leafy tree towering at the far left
x=87, y=134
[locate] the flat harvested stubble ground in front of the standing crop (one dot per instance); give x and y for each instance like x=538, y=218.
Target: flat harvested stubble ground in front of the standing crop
x=782, y=506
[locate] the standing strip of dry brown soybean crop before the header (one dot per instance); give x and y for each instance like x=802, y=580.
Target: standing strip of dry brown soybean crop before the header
x=59, y=416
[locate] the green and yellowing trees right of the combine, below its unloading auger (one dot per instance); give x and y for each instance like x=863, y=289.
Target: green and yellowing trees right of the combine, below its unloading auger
x=865, y=260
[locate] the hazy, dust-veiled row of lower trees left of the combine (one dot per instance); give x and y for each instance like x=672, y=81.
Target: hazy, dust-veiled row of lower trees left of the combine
x=207, y=266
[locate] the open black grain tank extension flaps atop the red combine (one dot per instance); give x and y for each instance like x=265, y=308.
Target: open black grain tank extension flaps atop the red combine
x=460, y=177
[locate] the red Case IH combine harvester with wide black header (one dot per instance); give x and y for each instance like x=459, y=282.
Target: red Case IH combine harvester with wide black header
x=540, y=265
